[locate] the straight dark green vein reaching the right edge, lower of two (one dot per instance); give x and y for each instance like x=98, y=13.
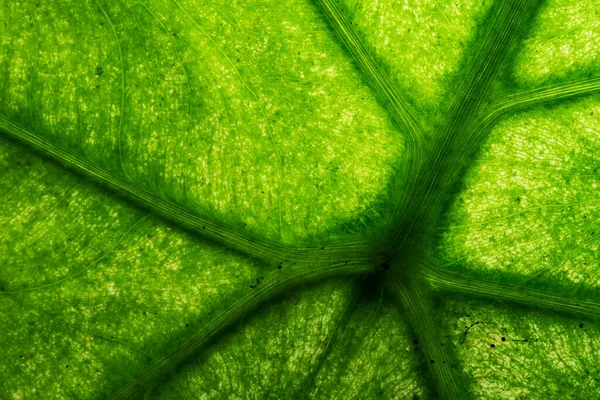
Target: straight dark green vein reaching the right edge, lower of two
x=457, y=283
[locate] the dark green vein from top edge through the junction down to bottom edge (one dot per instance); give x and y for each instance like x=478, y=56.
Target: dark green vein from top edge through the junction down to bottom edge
x=507, y=20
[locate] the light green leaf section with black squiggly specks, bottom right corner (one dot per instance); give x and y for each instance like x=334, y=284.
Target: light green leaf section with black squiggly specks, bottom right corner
x=542, y=356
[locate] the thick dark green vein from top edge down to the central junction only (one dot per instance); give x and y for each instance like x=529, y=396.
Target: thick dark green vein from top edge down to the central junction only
x=507, y=24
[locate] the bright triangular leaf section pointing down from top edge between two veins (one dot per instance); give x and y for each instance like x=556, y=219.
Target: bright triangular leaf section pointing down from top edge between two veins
x=420, y=42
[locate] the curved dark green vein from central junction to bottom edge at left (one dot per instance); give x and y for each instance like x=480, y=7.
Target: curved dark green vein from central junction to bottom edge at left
x=275, y=283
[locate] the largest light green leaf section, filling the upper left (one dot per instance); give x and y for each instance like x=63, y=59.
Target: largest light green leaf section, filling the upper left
x=247, y=113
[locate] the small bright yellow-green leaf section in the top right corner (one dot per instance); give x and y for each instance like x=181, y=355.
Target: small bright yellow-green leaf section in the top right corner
x=564, y=43
